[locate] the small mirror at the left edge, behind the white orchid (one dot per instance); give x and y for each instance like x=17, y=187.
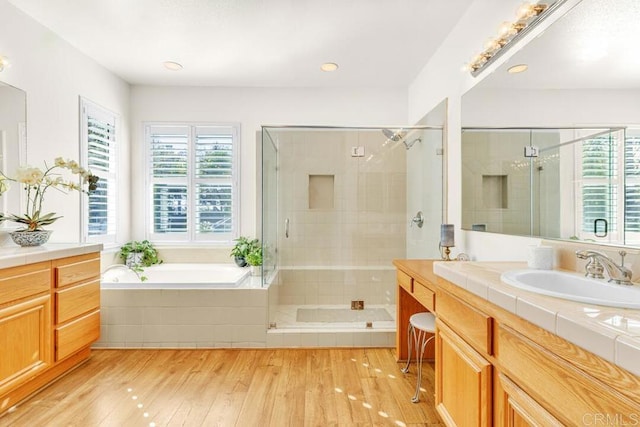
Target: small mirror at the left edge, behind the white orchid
x=13, y=140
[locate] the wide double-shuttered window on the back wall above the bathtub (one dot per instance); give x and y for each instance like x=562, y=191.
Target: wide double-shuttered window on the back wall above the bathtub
x=192, y=182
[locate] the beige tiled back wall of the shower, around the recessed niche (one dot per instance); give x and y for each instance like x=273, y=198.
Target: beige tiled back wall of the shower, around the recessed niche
x=366, y=224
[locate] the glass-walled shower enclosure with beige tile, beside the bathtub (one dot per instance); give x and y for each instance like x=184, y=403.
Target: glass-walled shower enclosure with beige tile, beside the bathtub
x=335, y=214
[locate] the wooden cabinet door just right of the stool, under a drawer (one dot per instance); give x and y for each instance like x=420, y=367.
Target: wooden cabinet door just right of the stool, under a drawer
x=463, y=381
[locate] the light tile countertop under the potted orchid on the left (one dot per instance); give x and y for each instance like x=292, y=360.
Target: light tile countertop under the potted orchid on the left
x=13, y=256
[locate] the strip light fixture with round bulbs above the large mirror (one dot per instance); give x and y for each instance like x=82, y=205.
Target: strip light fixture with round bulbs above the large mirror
x=528, y=15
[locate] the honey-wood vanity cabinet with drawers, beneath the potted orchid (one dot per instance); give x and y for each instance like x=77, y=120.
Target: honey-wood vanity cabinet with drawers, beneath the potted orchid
x=49, y=317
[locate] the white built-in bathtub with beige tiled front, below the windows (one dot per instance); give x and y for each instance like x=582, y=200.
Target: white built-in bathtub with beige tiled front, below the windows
x=182, y=306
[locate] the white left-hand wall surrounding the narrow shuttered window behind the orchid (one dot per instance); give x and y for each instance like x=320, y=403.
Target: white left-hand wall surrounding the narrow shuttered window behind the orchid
x=55, y=75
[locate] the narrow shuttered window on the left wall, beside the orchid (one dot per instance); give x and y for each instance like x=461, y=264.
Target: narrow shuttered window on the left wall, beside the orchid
x=99, y=152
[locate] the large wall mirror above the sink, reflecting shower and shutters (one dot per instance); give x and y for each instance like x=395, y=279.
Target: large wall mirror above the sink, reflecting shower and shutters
x=554, y=151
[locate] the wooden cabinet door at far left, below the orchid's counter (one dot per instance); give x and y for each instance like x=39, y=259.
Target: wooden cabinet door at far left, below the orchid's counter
x=25, y=341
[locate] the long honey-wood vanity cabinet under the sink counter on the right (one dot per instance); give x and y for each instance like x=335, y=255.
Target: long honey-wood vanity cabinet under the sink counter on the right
x=494, y=368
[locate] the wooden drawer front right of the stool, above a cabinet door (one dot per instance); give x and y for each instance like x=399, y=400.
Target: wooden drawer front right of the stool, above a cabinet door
x=473, y=325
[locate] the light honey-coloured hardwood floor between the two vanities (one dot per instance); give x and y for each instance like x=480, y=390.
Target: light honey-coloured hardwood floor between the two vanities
x=233, y=387
